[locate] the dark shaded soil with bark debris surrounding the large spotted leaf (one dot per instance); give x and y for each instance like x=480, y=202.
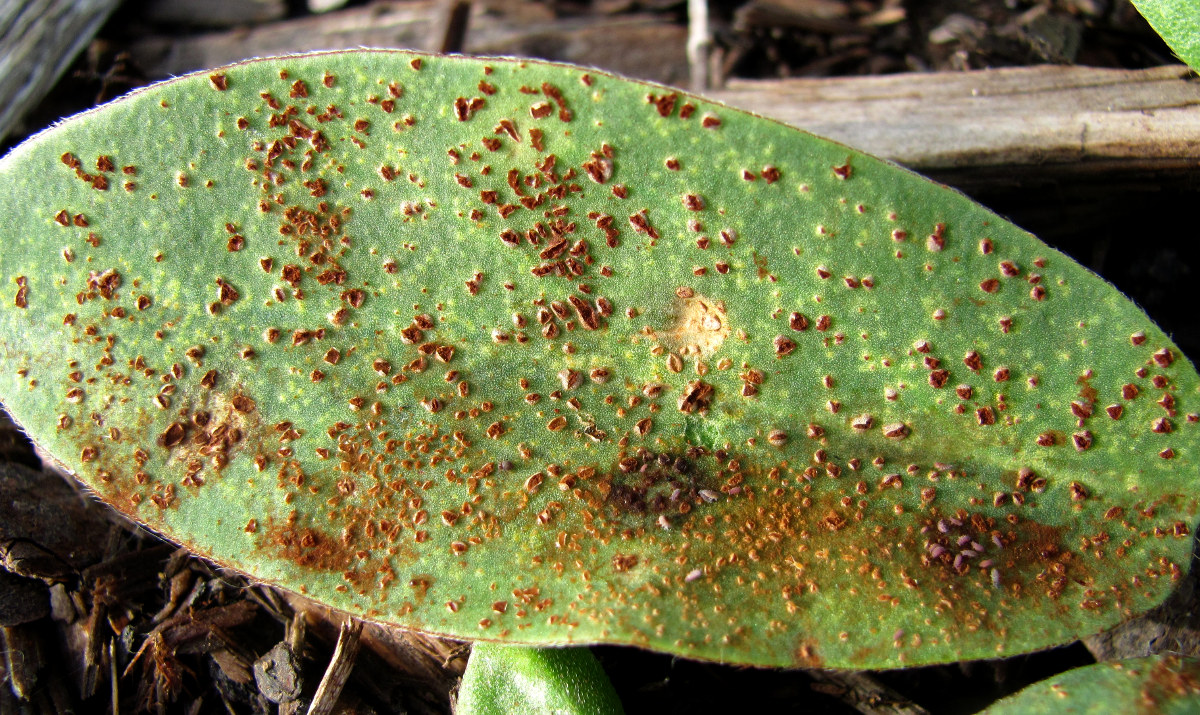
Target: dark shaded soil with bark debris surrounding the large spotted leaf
x=97, y=611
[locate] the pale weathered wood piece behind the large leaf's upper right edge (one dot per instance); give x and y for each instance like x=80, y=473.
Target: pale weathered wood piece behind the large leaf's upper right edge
x=1075, y=121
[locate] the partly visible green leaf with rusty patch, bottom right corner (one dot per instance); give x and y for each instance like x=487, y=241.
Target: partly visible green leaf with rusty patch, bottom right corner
x=1166, y=684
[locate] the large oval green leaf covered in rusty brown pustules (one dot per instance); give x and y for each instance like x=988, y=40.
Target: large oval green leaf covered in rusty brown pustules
x=527, y=353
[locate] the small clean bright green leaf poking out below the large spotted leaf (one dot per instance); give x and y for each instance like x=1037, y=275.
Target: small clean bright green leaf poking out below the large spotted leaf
x=503, y=680
